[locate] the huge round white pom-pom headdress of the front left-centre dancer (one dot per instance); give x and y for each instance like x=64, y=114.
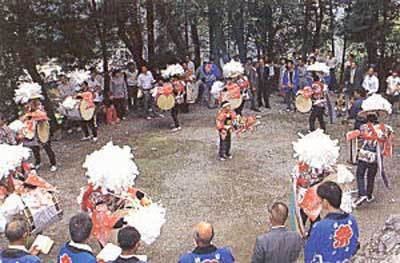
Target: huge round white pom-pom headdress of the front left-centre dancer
x=112, y=168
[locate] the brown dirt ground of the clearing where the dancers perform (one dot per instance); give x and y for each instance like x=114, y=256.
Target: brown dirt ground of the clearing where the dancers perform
x=182, y=171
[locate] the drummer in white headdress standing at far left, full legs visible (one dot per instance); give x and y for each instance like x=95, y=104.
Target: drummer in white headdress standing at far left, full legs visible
x=36, y=131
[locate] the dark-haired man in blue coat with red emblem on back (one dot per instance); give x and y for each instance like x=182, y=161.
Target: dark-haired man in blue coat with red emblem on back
x=335, y=238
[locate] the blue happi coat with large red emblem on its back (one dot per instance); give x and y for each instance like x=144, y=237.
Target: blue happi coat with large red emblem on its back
x=332, y=240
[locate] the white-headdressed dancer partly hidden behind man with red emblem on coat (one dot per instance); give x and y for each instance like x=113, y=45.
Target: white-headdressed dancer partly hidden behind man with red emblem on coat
x=316, y=154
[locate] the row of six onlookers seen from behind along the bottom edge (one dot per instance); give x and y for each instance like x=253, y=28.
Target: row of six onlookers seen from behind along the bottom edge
x=277, y=245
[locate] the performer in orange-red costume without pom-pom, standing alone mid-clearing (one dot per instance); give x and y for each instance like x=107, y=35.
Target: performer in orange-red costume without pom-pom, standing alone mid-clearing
x=226, y=119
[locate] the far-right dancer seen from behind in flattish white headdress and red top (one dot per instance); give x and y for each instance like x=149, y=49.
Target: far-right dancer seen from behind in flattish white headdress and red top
x=376, y=139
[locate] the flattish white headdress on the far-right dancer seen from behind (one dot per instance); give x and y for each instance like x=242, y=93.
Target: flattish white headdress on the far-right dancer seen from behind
x=376, y=104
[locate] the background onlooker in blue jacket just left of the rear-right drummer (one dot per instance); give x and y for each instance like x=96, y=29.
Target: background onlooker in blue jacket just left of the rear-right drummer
x=290, y=83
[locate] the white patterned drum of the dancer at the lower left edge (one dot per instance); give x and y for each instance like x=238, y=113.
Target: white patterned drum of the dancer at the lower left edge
x=42, y=209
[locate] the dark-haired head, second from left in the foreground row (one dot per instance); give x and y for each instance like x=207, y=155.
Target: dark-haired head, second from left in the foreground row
x=80, y=227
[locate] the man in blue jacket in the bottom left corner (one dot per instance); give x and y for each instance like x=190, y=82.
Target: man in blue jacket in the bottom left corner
x=17, y=231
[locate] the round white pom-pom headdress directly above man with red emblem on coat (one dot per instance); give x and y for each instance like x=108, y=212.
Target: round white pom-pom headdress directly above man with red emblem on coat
x=317, y=150
